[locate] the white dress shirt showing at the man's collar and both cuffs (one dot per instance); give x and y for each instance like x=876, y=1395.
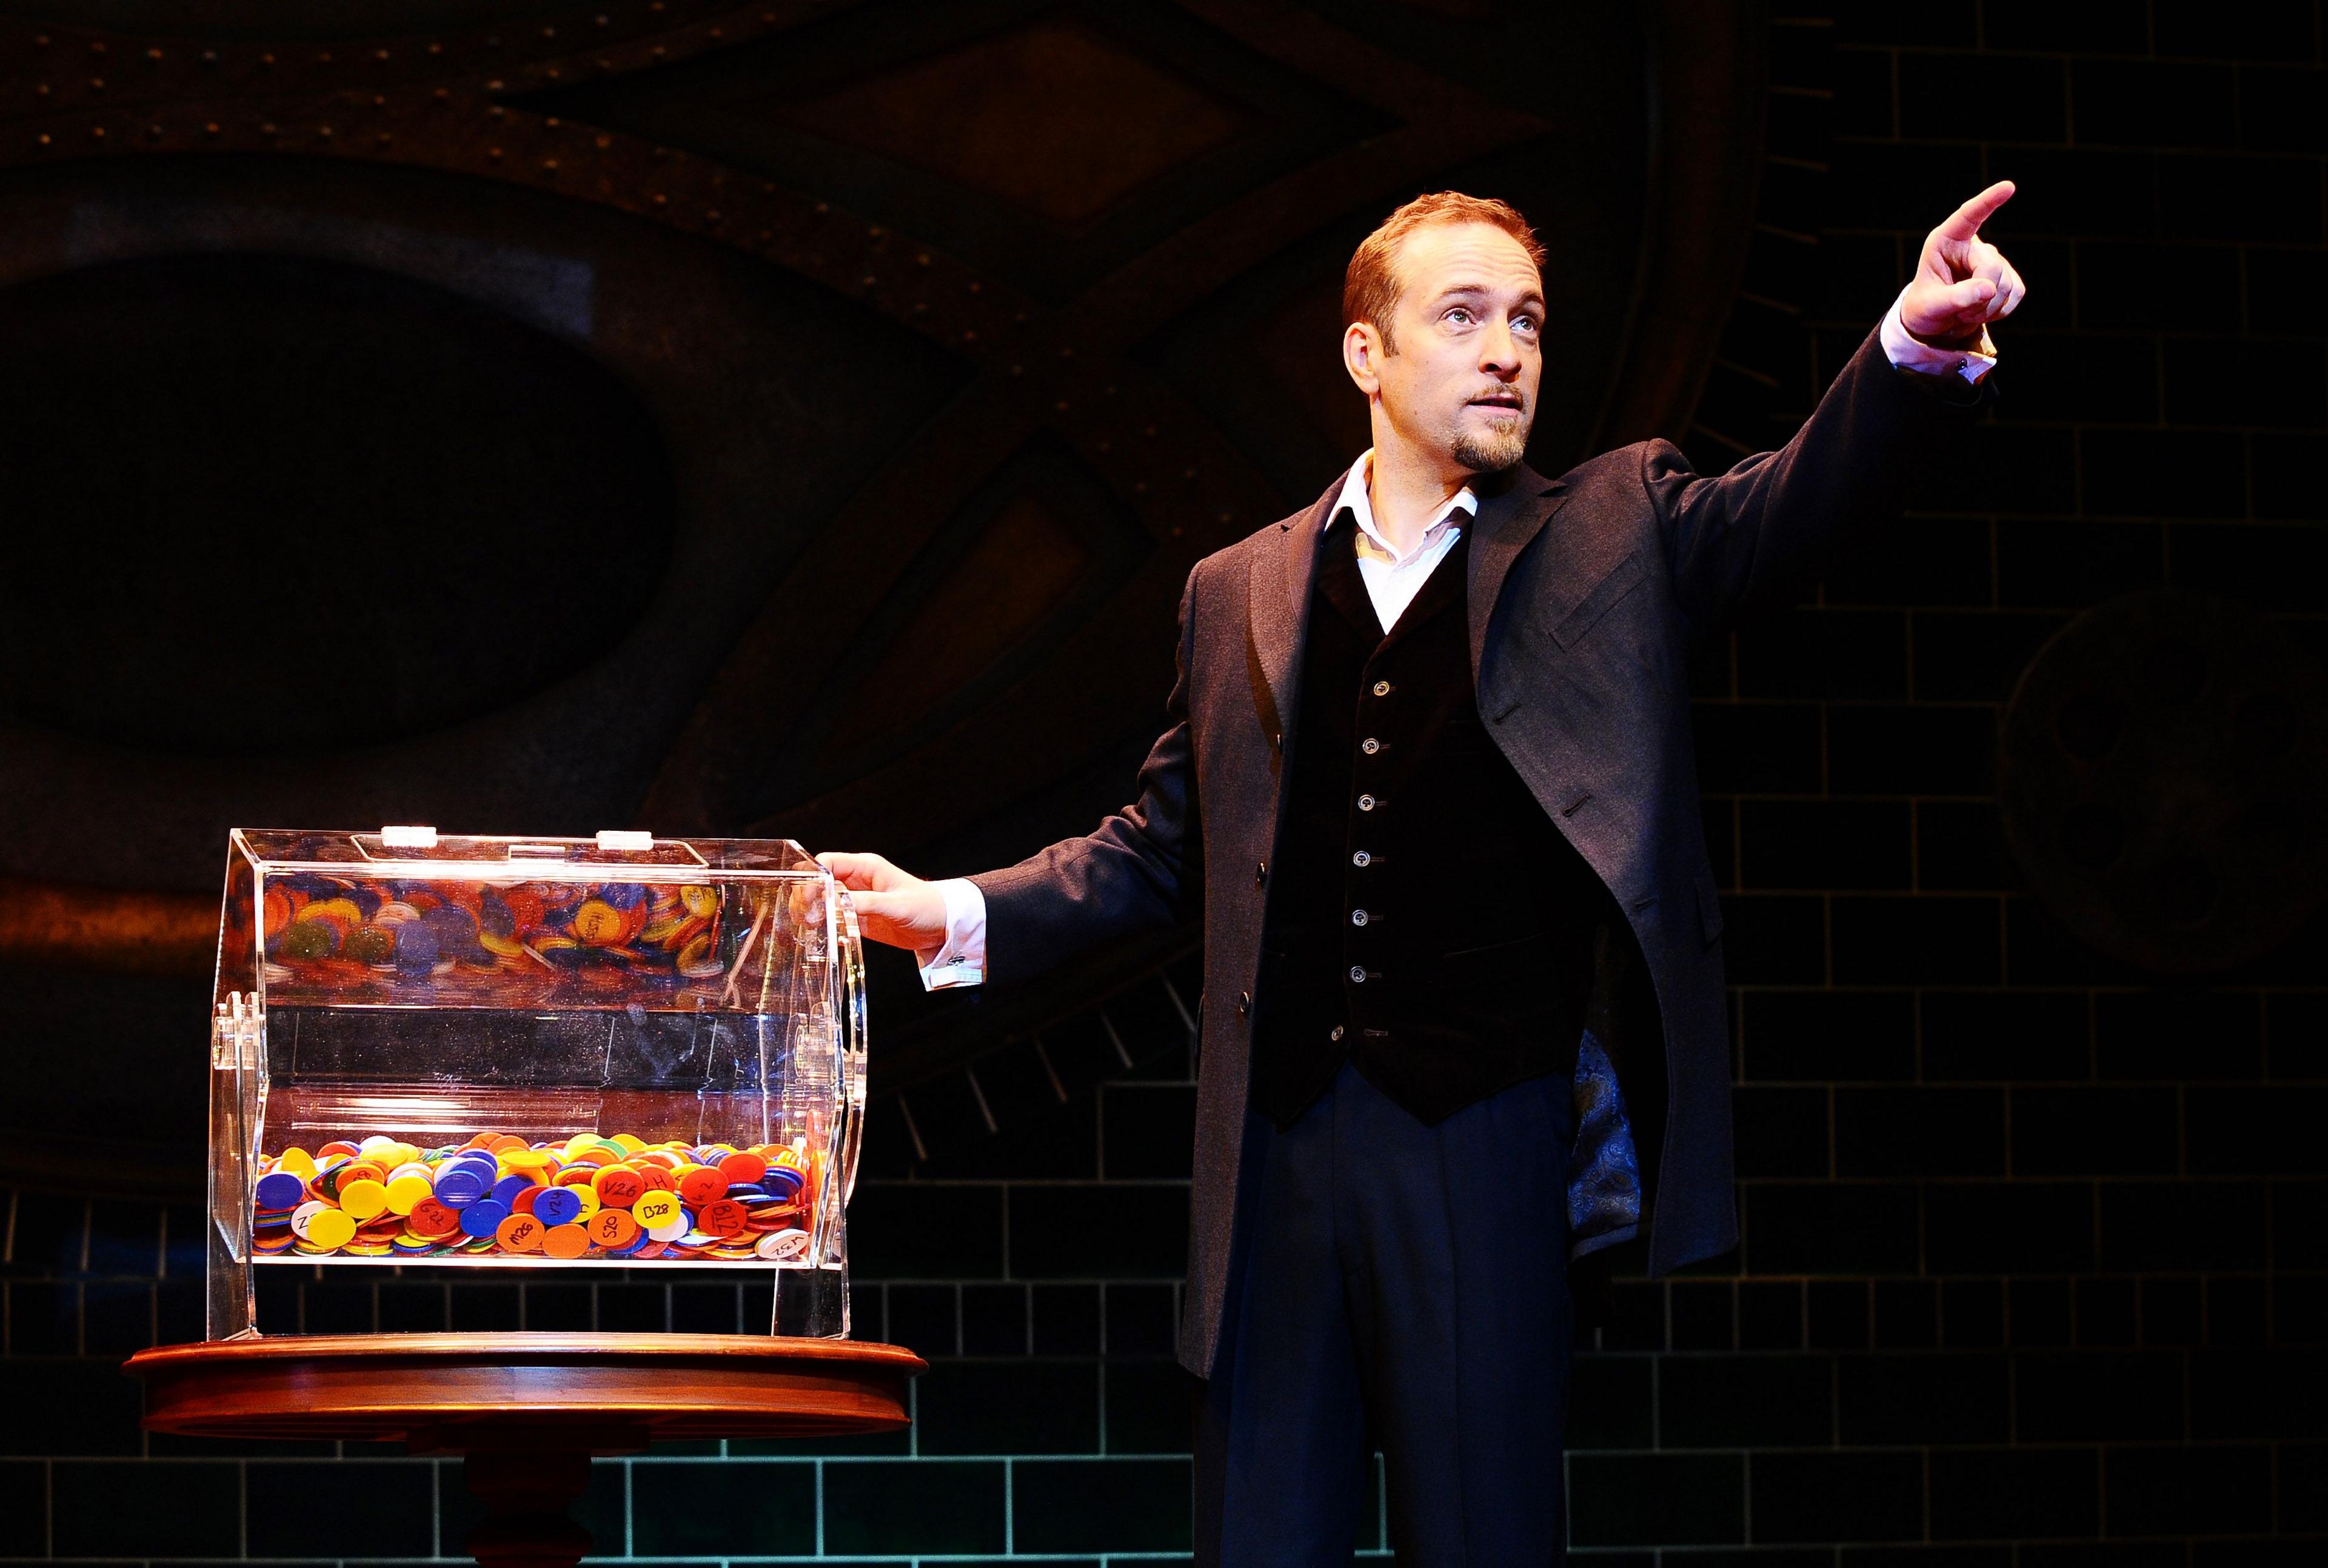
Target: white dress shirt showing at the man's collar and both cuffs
x=1393, y=583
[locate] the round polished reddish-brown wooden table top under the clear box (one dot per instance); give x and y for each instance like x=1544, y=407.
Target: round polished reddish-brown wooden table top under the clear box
x=604, y=1392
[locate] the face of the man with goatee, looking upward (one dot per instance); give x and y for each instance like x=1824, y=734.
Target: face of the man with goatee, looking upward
x=1468, y=345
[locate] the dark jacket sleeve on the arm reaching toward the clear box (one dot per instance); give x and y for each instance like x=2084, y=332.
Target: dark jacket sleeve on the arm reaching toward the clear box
x=1137, y=871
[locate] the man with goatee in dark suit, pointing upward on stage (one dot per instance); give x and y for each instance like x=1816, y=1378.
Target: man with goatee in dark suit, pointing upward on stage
x=1428, y=778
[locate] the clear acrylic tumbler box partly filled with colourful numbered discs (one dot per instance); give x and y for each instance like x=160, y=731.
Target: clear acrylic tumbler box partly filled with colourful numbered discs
x=497, y=1053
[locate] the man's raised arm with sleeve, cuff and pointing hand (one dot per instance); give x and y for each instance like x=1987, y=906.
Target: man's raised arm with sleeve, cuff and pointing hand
x=1878, y=434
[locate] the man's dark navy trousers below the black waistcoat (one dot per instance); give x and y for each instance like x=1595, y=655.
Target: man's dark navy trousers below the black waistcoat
x=1403, y=1288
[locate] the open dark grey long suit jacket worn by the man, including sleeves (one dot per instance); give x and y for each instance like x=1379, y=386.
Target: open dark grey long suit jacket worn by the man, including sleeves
x=1584, y=594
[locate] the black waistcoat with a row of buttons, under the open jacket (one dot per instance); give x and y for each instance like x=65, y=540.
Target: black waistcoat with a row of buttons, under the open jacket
x=1426, y=918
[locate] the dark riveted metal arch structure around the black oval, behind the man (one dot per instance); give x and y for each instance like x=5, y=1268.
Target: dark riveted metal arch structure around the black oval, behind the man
x=1088, y=378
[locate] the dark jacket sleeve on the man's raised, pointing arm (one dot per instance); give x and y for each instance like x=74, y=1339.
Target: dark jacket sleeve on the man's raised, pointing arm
x=1754, y=532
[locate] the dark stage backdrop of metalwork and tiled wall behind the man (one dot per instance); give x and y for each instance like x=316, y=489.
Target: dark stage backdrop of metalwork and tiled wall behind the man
x=800, y=420
